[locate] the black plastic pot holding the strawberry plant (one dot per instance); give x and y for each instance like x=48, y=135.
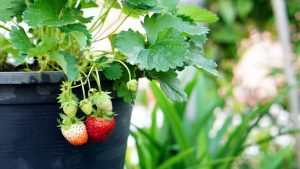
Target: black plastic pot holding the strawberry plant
x=29, y=138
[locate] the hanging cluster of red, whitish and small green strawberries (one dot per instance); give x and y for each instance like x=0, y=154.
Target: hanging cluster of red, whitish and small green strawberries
x=99, y=121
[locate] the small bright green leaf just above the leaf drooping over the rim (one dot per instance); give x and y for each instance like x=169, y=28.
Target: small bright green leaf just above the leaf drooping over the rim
x=44, y=47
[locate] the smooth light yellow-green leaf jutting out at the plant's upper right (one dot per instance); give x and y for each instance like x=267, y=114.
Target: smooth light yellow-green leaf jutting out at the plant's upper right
x=197, y=14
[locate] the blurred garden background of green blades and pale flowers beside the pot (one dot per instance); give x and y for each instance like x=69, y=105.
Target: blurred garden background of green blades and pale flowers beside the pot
x=238, y=121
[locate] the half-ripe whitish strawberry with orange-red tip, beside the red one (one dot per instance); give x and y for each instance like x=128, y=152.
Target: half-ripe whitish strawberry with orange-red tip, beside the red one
x=74, y=130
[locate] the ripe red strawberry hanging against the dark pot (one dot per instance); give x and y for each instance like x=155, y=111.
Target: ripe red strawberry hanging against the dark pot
x=99, y=128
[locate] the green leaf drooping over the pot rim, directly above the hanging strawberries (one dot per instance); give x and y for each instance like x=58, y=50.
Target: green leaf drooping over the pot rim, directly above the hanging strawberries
x=67, y=62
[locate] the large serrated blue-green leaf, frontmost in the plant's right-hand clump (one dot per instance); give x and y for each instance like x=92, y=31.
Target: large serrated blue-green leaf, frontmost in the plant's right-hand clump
x=168, y=52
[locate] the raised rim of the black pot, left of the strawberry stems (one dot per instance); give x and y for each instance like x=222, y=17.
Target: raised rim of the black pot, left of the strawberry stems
x=33, y=77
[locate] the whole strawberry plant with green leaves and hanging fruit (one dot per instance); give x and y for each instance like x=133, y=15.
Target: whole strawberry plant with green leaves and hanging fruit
x=55, y=35
